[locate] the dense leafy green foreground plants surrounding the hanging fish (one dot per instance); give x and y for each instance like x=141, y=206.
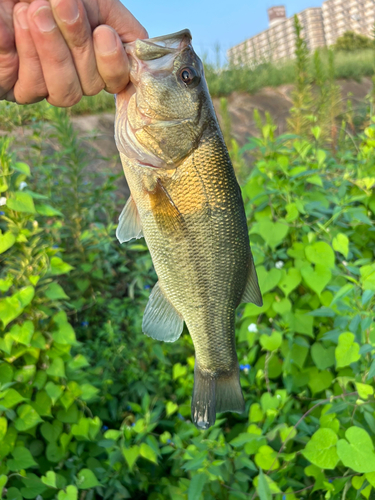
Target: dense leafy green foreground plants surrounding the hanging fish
x=92, y=409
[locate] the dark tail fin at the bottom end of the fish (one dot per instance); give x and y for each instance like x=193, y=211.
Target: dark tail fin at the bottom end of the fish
x=215, y=394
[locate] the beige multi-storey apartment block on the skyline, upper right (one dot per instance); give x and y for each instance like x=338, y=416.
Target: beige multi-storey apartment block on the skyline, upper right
x=321, y=27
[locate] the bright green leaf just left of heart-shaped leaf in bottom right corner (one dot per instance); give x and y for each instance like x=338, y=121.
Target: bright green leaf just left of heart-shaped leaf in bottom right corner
x=321, y=449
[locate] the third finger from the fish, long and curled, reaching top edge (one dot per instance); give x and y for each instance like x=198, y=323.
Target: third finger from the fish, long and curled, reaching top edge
x=60, y=75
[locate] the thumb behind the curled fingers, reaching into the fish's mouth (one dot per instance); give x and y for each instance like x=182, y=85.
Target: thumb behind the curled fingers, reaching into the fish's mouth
x=116, y=15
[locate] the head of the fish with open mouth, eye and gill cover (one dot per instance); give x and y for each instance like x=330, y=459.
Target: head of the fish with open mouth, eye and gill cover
x=161, y=117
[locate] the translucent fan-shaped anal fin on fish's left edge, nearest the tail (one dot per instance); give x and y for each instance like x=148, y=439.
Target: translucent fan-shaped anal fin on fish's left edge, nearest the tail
x=161, y=321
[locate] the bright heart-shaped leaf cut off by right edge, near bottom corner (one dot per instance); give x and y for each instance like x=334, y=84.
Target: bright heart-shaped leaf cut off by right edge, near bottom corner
x=357, y=452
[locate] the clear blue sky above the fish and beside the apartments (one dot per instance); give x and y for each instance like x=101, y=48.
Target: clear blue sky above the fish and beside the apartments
x=211, y=22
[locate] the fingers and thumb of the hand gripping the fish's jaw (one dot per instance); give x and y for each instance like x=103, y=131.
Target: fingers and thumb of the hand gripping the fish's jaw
x=70, y=48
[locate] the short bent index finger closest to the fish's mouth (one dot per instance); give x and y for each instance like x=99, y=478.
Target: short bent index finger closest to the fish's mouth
x=111, y=59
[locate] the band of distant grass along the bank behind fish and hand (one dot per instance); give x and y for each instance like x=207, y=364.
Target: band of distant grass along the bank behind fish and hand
x=221, y=82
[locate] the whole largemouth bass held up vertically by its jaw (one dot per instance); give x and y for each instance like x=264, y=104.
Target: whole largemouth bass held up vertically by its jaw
x=187, y=204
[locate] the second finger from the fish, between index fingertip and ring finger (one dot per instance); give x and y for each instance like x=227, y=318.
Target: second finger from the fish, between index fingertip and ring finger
x=71, y=18
